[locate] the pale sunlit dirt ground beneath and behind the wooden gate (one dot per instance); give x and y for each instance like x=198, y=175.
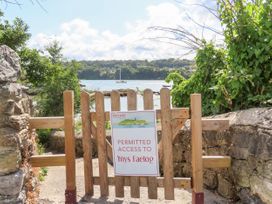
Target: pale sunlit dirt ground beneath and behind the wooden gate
x=52, y=190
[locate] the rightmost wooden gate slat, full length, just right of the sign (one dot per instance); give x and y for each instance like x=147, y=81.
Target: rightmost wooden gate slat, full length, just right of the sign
x=167, y=144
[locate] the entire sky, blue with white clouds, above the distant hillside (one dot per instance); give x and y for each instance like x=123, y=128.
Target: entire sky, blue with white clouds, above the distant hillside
x=112, y=29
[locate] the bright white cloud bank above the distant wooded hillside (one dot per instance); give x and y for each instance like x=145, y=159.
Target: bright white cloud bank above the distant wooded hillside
x=82, y=41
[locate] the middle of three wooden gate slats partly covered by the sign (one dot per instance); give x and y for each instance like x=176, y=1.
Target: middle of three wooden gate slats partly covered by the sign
x=135, y=181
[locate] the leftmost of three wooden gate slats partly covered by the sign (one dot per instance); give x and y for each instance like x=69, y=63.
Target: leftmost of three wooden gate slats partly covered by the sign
x=119, y=180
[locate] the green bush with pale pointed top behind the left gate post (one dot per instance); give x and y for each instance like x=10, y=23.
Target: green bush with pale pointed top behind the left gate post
x=62, y=76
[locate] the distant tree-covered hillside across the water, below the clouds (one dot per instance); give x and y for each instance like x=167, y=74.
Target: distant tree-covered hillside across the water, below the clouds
x=134, y=69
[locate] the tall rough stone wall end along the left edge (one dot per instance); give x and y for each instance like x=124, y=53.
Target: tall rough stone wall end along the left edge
x=16, y=142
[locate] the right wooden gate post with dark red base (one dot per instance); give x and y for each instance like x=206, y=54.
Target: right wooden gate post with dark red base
x=197, y=163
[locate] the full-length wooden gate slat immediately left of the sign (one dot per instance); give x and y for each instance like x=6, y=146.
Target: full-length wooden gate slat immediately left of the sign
x=101, y=143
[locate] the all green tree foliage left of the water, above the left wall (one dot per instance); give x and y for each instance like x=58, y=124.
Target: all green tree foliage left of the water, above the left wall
x=47, y=74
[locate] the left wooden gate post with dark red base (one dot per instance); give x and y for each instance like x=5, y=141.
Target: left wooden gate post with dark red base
x=70, y=192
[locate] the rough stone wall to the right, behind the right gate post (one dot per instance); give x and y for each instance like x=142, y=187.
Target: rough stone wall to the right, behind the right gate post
x=249, y=143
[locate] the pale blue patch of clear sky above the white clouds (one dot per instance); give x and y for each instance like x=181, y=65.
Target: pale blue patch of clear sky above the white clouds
x=102, y=14
